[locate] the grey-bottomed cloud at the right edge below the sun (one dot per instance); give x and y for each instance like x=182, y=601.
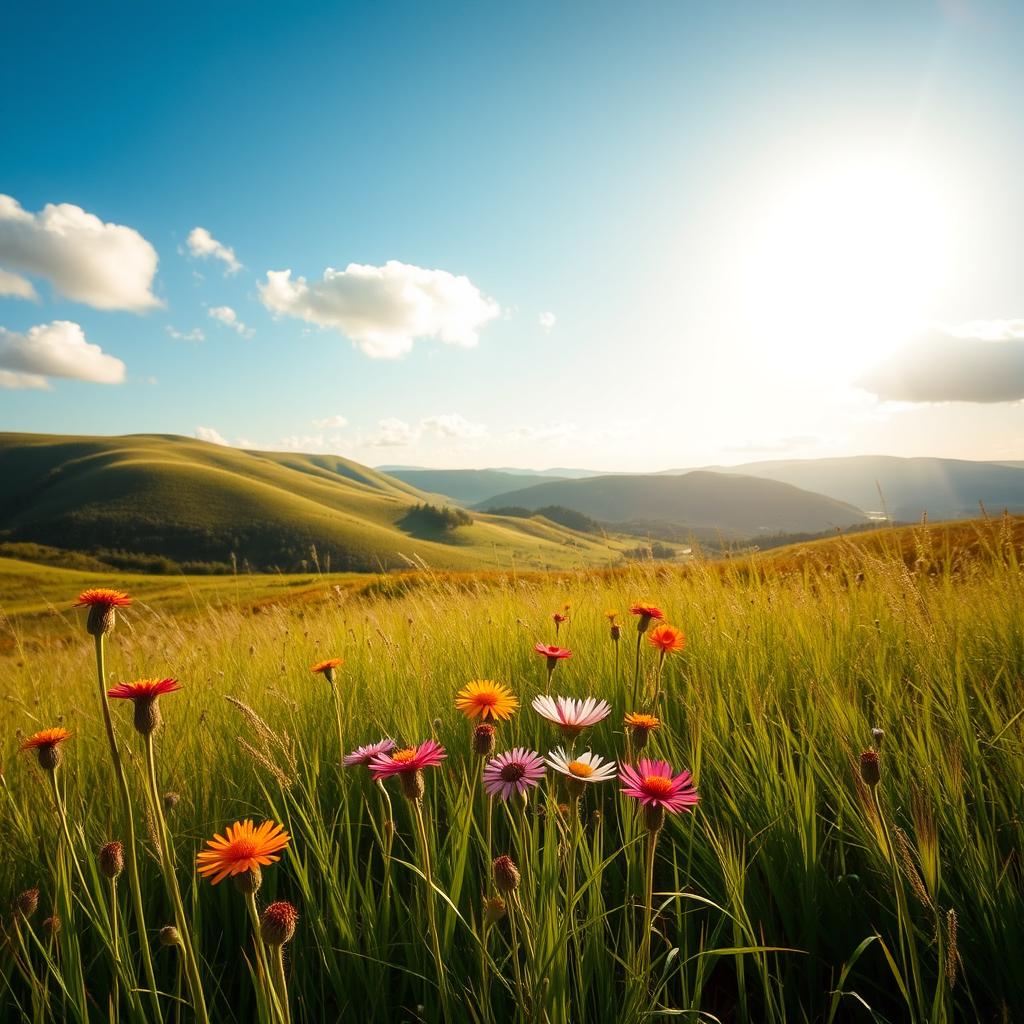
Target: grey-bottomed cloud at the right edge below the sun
x=942, y=366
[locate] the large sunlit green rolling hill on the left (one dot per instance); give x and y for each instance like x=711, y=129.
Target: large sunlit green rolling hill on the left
x=193, y=503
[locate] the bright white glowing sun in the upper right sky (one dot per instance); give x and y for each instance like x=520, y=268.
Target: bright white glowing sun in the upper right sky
x=843, y=262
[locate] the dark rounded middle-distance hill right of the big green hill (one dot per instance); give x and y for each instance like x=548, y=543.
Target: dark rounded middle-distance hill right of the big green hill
x=704, y=501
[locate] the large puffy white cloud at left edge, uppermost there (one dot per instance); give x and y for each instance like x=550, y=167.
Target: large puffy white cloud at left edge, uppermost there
x=108, y=267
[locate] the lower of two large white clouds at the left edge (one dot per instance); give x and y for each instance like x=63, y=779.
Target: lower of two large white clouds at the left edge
x=58, y=350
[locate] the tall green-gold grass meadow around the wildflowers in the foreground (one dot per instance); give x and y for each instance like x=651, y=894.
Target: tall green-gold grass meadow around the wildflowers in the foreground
x=793, y=892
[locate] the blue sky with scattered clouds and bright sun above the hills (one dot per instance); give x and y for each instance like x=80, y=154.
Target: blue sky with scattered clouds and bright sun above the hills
x=595, y=235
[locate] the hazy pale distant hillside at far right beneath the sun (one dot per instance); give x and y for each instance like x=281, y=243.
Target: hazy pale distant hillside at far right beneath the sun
x=946, y=489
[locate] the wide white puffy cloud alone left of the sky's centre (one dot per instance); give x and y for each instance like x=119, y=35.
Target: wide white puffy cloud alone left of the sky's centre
x=385, y=309
